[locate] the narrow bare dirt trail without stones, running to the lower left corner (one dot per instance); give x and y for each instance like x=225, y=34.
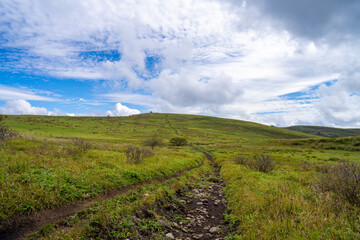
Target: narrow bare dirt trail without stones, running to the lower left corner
x=20, y=227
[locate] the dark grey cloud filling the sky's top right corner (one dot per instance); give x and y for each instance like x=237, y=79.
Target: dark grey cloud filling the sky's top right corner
x=313, y=19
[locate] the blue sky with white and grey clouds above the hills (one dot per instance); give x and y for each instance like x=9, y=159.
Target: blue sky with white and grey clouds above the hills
x=276, y=62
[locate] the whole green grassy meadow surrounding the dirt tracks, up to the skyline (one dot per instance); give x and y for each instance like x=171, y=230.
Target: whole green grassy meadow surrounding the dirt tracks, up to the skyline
x=48, y=165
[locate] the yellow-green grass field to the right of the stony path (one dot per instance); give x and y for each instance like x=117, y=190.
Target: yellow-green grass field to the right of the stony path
x=283, y=204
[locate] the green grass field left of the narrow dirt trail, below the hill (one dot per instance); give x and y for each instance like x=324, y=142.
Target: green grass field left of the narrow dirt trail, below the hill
x=39, y=174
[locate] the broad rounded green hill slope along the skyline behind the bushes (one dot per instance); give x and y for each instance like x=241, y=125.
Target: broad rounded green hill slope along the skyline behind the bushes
x=139, y=126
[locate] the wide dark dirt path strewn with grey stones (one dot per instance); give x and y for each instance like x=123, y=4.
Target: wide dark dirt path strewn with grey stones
x=202, y=215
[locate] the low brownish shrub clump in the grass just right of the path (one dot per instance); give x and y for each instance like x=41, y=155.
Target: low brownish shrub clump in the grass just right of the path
x=262, y=163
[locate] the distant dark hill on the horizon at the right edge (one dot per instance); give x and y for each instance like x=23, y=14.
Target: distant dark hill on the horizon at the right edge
x=326, y=131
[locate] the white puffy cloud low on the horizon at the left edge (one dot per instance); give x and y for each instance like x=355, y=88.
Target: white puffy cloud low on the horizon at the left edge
x=22, y=107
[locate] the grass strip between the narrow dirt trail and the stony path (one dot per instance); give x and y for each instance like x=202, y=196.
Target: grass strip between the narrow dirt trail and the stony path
x=123, y=217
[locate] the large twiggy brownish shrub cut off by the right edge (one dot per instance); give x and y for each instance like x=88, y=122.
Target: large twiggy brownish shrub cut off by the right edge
x=342, y=179
